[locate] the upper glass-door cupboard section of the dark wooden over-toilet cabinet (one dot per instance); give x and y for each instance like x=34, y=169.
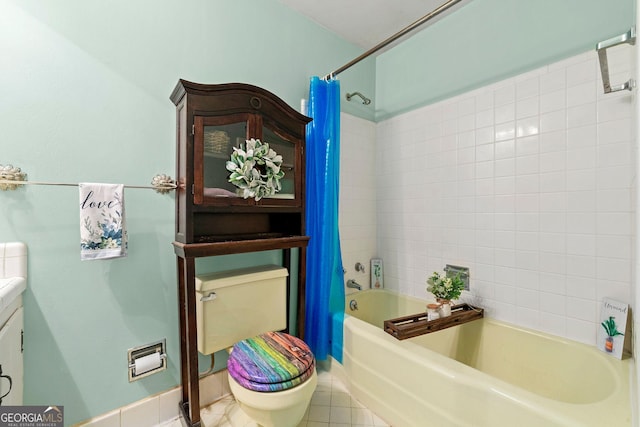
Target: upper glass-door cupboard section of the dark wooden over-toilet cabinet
x=212, y=120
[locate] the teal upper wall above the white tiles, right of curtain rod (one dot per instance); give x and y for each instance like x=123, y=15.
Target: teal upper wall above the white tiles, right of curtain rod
x=489, y=40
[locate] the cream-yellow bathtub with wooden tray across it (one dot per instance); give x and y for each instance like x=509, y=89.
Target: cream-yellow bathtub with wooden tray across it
x=484, y=373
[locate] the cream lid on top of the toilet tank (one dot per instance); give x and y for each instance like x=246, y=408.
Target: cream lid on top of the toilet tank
x=222, y=279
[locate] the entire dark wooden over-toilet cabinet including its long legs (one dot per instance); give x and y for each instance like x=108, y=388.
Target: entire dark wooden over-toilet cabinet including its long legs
x=211, y=218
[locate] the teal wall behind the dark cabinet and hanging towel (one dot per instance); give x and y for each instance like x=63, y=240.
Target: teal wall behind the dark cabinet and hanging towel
x=85, y=98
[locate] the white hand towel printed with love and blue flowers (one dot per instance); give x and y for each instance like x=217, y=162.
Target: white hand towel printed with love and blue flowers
x=103, y=232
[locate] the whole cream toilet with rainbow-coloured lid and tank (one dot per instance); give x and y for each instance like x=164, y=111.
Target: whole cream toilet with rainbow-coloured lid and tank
x=271, y=374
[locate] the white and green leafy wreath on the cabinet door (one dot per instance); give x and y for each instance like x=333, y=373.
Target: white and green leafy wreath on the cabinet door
x=256, y=170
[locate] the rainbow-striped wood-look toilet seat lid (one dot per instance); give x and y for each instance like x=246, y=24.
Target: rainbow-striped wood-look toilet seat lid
x=269, y=362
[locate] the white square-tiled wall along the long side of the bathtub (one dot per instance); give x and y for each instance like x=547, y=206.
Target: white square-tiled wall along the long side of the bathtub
x=528, y=182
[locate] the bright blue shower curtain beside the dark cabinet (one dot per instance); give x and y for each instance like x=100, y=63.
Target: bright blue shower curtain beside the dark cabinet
x=325, y=277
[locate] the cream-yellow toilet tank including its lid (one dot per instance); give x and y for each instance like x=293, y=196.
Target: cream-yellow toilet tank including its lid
x=238, y=304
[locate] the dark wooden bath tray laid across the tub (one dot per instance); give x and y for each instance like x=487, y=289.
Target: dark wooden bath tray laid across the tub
x=417, y=324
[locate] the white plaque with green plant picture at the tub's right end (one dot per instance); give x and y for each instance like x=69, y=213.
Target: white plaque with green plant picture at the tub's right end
x=612, y=329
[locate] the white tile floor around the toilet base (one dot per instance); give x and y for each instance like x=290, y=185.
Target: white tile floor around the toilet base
x=331, y=406
